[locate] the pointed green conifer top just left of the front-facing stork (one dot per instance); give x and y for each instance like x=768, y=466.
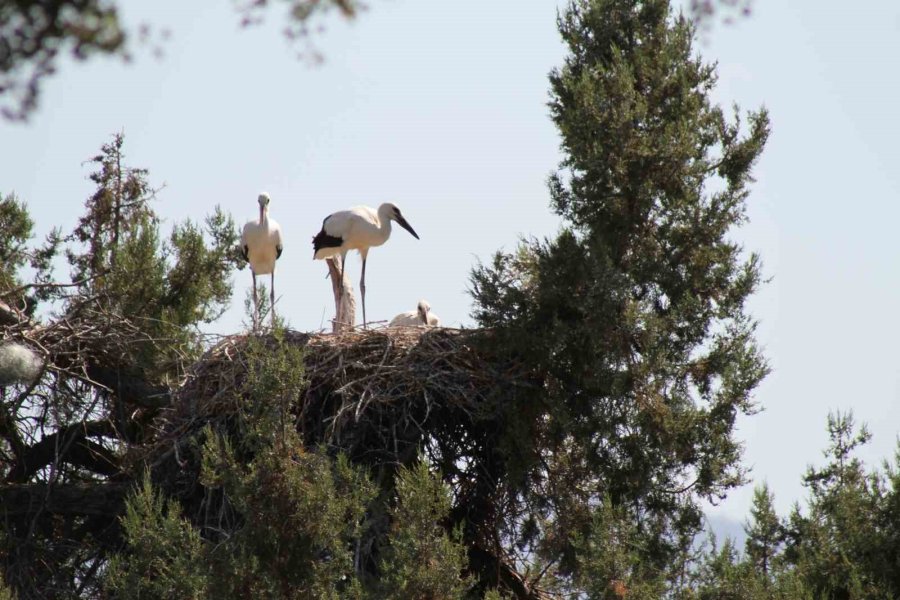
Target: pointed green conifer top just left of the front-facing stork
x=183, y=281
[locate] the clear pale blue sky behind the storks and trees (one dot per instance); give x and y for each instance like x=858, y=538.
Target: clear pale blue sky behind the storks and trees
x=441, y=108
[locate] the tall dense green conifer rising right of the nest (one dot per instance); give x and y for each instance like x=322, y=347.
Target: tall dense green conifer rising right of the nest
x=633, y=317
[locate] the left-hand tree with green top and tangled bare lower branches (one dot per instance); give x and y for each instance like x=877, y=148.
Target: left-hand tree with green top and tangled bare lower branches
x=113, y=339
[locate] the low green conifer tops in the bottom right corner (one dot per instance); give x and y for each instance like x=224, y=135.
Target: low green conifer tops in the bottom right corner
x=843, y=545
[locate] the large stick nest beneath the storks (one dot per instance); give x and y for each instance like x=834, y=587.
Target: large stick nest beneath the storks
x=380, y=396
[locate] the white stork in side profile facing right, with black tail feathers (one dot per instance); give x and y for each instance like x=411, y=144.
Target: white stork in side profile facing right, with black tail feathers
x=358, y=228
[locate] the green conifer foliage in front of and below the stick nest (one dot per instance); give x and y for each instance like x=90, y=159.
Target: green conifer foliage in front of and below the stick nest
x=291, y=522
